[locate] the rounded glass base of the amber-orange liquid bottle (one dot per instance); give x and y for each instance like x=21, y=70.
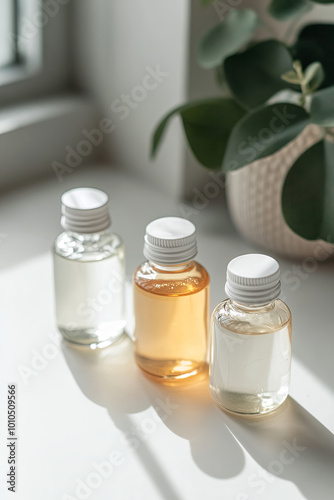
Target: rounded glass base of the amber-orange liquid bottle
x=172, y=372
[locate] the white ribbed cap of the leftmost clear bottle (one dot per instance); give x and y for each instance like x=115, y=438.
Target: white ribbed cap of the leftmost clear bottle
x=85, y=210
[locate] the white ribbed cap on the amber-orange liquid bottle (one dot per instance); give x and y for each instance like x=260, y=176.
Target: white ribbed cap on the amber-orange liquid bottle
x=170, y=240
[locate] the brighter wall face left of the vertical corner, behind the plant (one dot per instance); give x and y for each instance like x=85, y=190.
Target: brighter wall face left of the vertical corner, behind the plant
x=115, y=41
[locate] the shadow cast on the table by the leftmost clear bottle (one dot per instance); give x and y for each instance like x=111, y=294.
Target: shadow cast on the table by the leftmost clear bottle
x=110, y=378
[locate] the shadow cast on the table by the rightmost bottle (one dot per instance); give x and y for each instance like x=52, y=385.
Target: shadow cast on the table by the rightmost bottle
x=290, y=444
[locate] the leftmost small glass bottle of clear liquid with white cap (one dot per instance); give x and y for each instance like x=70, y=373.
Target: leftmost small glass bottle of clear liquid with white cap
x=88, y=271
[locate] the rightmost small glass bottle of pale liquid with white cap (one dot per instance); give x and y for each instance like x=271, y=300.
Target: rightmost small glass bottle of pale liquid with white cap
x=251, y=339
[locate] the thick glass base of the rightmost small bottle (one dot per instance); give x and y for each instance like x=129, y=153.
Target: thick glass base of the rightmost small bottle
x=248, y=404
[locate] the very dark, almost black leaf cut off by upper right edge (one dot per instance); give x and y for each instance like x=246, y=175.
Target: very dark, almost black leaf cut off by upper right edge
x=316, y=43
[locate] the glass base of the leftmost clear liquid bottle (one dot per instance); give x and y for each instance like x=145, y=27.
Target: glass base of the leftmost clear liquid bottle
x=91, y=337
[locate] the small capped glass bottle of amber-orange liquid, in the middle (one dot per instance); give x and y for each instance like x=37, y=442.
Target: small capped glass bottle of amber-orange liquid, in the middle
x=171, y=303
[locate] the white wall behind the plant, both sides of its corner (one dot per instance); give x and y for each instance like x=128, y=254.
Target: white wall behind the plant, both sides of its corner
x=114, y=42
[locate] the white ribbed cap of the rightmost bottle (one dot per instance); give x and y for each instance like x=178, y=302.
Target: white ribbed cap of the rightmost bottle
x=253, y=279
